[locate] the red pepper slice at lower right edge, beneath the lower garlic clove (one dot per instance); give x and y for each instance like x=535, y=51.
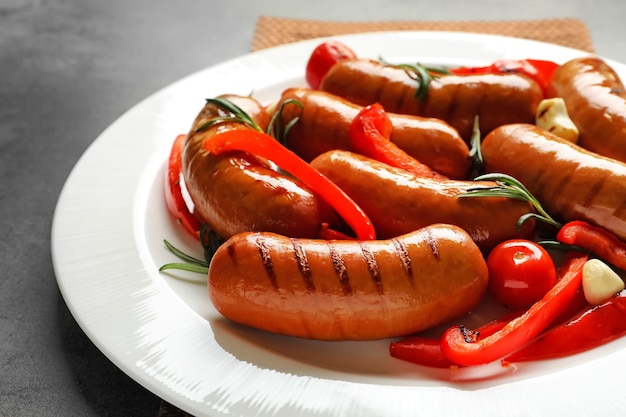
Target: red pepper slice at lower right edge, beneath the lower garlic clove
x=593, y=327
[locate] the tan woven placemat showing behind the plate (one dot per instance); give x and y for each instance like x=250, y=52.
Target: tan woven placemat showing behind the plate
x=573, y=33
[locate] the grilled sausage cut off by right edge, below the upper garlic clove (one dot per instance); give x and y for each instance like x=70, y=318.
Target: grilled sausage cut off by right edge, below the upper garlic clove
x=570, y=182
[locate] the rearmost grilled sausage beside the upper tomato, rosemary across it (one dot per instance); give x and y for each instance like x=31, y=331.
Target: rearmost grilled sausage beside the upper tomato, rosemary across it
x=497, y=99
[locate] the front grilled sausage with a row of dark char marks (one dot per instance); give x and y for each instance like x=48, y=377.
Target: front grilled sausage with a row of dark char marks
x=348, y=290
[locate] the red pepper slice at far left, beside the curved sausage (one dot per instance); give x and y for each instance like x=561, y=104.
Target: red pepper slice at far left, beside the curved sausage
x=173, y=191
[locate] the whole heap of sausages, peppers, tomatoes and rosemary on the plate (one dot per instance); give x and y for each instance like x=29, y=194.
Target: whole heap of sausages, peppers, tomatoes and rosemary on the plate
x=341, y=220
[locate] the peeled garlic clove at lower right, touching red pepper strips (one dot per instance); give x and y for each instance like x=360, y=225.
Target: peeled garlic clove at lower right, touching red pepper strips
x=600, y=282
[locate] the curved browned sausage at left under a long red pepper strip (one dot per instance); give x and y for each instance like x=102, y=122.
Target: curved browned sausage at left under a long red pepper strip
x=236, y=192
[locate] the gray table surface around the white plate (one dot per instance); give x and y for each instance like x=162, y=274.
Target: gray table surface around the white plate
x=68, y=69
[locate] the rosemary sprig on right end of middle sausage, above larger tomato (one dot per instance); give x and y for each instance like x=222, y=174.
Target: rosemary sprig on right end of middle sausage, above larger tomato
x=507, y=186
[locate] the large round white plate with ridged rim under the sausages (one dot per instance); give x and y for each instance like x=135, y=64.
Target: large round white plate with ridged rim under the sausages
x=162, y=330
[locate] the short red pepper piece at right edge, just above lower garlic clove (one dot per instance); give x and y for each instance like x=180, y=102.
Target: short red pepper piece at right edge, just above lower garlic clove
x=595, y=239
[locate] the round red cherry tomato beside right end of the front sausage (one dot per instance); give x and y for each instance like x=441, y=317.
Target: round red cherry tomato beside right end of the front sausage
x=520, y=273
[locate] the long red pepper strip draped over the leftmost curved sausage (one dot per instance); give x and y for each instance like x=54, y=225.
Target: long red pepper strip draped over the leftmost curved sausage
x=265, y=146
